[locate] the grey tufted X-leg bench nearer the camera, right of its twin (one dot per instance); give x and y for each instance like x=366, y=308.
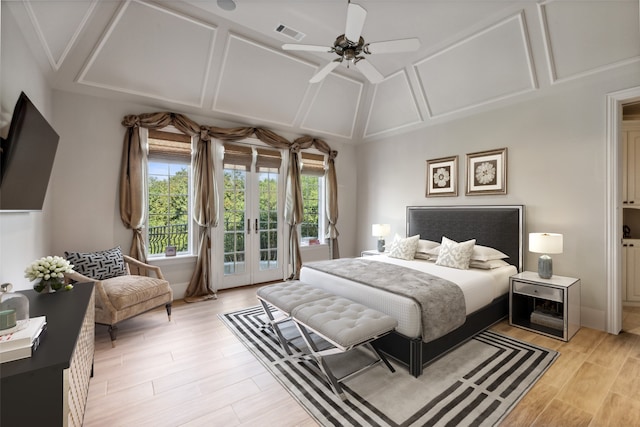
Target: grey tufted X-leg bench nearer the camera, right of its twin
x=345, y=325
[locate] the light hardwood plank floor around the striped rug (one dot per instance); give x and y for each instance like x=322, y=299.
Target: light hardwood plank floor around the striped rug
x=192, y=371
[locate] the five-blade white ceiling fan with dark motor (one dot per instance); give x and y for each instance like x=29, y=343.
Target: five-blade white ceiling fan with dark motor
x=351, y=47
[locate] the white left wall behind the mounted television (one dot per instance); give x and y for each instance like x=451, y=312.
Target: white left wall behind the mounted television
x=24, y=237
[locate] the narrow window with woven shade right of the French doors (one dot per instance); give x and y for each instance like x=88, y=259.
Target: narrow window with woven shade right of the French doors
x=312, y=181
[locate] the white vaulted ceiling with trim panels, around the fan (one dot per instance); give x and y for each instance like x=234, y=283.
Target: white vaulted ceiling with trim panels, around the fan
x=193, y=57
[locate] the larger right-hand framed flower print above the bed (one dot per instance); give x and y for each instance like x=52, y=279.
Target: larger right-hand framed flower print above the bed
x=487, y=172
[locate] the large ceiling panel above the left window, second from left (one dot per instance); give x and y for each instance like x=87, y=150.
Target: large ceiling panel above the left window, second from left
x=139, y=55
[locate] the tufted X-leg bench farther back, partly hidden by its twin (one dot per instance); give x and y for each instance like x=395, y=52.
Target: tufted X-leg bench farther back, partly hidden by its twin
x=285, y=297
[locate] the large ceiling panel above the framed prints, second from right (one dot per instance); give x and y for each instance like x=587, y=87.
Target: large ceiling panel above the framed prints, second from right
x=492, y=64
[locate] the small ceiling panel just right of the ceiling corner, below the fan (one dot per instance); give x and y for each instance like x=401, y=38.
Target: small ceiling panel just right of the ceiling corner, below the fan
x=393, y=106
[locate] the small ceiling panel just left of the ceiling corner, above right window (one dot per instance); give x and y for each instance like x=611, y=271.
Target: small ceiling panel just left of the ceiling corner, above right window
x=335, y=107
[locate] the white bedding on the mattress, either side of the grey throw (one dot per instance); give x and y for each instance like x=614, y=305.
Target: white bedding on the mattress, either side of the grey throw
x=479, y=287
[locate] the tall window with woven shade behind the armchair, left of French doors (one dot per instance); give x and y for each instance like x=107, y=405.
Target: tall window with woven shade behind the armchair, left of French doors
x=169, y=188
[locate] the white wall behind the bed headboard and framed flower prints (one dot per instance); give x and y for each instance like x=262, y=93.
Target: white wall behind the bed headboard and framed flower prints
x=556, y=168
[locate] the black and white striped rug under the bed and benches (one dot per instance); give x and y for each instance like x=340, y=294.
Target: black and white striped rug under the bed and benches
x=477, y=384
